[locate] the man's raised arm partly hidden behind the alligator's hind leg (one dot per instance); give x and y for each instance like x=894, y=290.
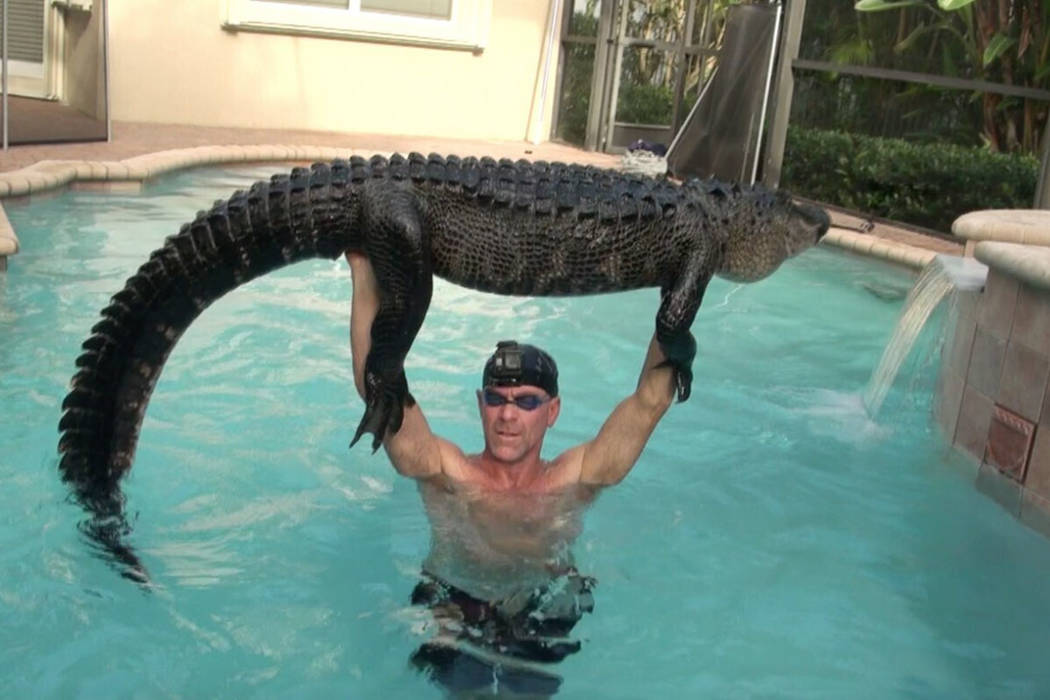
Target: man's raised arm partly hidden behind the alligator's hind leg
x=414, y=451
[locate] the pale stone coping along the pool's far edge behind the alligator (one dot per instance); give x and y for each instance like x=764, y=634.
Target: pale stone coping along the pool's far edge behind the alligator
x=47, y=176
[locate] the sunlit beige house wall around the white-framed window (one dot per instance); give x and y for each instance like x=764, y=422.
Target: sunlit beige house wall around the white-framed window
x=172, y=62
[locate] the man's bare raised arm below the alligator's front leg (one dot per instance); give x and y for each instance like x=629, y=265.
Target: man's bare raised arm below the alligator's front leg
x=607, y=459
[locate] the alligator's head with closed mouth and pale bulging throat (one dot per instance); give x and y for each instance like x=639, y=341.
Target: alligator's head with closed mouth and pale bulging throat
x=764, y=229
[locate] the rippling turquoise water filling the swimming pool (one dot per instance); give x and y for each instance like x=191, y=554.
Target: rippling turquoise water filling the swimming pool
x=772, y=542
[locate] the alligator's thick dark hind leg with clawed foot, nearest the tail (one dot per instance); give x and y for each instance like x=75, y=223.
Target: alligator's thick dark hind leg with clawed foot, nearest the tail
x=398, y=249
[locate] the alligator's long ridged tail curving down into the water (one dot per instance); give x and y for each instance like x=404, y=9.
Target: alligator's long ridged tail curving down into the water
x=307, y=215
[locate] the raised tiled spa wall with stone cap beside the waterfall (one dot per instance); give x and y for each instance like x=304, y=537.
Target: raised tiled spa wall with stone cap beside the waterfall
x=994, y=397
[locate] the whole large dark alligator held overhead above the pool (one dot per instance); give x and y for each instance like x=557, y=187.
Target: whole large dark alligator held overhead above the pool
x=506, y=227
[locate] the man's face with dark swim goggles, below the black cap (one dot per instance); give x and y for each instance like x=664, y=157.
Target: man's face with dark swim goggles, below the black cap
x=512, y=432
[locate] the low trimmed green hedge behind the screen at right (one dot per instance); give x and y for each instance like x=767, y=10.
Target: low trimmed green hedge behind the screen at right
x=928, y=185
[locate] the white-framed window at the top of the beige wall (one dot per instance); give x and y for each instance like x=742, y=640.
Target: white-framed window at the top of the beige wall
x=444, y=24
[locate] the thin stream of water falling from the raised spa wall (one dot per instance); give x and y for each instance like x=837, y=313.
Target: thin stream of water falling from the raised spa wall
x=943, y=275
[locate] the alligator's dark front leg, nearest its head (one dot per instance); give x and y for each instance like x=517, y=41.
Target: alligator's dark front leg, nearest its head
x=679, y=306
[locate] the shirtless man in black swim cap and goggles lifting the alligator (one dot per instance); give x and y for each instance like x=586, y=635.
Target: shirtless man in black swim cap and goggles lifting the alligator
x=500, y=578
